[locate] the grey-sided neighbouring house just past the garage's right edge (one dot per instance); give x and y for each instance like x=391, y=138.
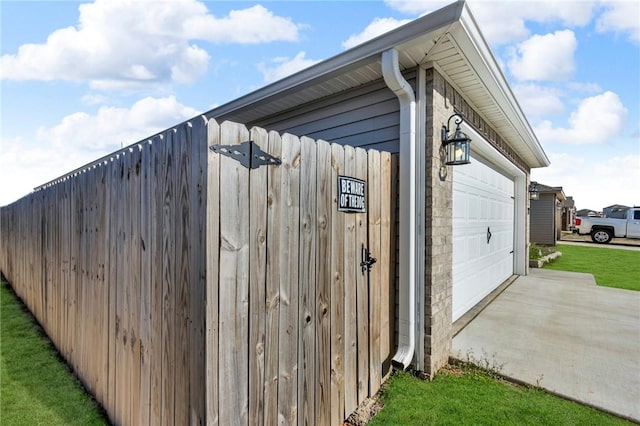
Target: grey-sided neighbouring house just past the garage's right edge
x=546, y=215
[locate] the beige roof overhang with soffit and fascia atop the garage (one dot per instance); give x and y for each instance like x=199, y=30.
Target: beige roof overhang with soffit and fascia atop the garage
x=448, y=38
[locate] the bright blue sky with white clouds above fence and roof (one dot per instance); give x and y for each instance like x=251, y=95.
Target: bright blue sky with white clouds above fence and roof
x=79, y=80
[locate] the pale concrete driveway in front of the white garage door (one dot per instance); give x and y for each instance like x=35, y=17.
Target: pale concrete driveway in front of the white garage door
x=560, y=331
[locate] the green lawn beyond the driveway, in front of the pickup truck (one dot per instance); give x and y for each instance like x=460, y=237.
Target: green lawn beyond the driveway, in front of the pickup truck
x=610, y=267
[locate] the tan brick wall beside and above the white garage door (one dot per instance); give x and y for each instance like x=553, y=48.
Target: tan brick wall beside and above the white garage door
x=442, y=100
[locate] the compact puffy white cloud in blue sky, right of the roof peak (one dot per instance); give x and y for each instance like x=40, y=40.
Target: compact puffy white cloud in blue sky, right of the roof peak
x=545, y=57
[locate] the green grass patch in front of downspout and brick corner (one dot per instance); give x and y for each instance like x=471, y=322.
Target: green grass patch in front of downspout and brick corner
x=468, y=395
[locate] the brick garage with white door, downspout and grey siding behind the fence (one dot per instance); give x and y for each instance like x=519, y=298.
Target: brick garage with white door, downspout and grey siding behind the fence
x=462, y=229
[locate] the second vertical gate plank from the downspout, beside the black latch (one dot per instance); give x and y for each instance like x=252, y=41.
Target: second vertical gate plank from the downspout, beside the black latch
x=373, y=214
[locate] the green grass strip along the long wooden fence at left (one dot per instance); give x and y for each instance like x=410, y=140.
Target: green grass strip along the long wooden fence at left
x=36, y=386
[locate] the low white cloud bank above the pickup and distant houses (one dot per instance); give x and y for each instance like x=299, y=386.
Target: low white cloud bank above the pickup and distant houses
x=606, y=184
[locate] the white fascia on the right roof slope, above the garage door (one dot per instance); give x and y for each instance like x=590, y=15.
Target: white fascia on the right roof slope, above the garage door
x=480, y=57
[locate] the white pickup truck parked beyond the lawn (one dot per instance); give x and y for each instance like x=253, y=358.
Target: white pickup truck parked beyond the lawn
x=604, y=229
